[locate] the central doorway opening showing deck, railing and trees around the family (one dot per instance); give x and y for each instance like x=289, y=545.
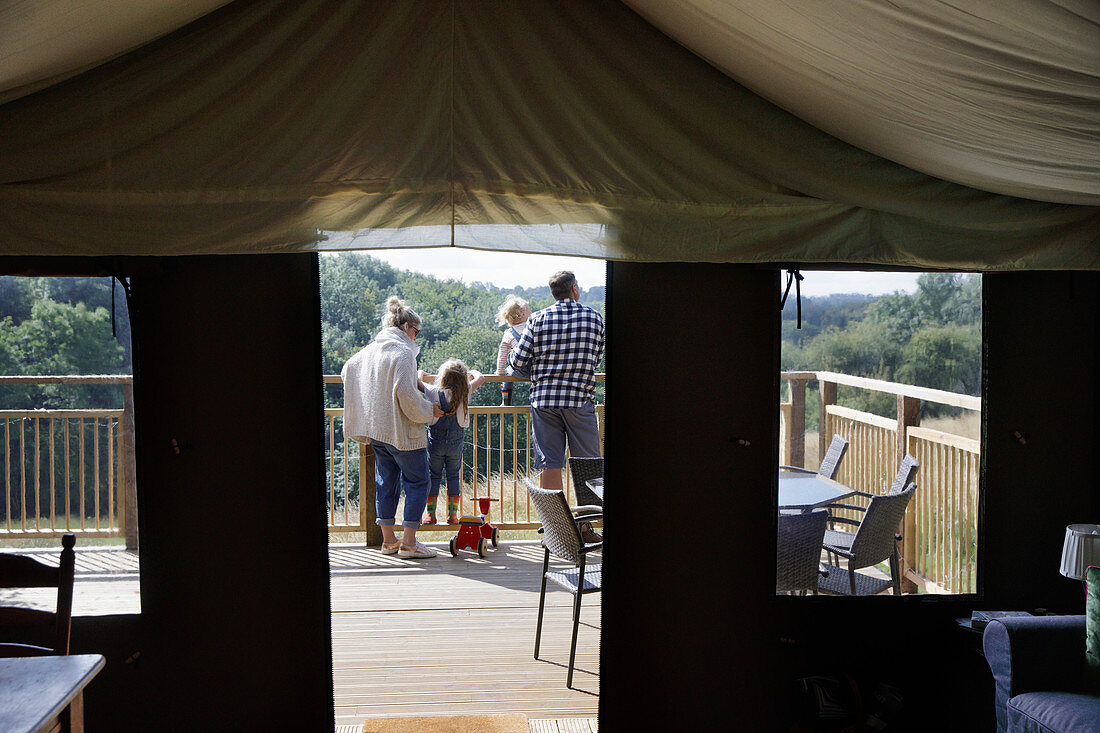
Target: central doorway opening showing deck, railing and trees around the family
x=452, y=634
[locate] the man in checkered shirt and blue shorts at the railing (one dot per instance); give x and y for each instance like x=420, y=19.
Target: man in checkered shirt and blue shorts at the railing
x=562, y=347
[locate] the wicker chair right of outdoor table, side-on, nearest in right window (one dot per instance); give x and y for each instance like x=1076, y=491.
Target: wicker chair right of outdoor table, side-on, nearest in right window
x=873, y=543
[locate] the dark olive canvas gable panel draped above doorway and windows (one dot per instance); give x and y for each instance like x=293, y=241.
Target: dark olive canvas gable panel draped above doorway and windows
x=569, y=127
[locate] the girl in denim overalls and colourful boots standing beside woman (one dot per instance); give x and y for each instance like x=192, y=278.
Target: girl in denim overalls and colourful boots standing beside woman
x=455, y=384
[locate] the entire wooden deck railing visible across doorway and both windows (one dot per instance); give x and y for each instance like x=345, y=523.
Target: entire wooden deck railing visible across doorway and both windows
x=73, y=471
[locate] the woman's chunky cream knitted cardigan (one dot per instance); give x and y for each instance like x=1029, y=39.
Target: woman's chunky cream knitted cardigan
x=381, y=399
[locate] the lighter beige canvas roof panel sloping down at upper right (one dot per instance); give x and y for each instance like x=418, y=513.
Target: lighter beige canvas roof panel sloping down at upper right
x=1002, y=96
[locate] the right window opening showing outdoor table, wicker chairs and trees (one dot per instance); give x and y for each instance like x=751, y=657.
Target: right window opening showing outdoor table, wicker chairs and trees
x=883, y=379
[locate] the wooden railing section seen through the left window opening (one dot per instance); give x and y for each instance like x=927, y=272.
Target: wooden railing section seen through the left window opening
x=69, y=471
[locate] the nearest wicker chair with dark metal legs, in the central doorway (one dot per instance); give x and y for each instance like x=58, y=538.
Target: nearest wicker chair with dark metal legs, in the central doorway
x=563, y=538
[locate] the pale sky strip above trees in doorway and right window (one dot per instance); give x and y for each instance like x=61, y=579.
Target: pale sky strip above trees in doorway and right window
x=509, y=269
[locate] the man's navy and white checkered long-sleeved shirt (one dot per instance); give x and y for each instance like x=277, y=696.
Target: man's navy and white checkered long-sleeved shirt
x=564, y=345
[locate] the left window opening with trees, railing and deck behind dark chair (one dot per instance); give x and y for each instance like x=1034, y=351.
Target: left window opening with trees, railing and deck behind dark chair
x=68, y=421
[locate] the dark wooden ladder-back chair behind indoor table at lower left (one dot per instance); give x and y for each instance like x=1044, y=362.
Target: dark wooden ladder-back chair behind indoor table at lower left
x=23, y=572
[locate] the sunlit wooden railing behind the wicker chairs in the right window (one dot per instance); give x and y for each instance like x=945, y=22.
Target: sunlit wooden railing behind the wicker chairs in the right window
x=940, y=534
